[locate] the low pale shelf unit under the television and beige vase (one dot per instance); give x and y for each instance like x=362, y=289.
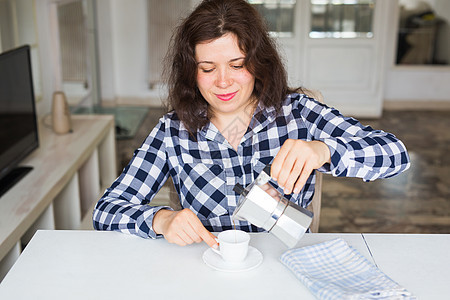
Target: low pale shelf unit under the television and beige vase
x=70, y=171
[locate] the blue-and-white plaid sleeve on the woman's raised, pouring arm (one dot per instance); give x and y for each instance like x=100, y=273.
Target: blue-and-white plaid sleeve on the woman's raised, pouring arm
x=356, y=150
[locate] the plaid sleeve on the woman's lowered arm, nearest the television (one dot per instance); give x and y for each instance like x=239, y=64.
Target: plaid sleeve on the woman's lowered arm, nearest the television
x=124, y=206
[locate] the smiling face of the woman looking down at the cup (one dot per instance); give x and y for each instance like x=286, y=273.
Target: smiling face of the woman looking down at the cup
x=222, y=78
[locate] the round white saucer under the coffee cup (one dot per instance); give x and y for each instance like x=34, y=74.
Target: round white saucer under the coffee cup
x=254, y=259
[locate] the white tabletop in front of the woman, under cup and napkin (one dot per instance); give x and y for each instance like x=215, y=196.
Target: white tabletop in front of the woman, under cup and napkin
x=110, y=265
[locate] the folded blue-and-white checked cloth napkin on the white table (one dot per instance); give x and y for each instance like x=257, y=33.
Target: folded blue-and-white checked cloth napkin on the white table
x=334, y=270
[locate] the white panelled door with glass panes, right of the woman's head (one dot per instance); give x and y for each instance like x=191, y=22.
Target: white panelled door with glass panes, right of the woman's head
x=348, y=71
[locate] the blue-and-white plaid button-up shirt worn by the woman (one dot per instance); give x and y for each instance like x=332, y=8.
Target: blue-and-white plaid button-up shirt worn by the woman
x=204, y=170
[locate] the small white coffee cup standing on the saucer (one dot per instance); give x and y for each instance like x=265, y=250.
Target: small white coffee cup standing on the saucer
x=233, y=245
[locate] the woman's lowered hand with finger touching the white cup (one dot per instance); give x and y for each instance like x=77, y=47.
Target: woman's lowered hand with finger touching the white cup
x=182, y=228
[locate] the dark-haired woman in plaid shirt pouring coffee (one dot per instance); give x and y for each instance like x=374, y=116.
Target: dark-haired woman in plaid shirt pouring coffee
x=233, y=114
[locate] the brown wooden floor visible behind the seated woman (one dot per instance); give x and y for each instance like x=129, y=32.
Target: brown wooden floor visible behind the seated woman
x=417, y=201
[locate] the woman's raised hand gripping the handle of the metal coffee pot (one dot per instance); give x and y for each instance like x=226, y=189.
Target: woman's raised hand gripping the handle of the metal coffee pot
x=295, y=162
